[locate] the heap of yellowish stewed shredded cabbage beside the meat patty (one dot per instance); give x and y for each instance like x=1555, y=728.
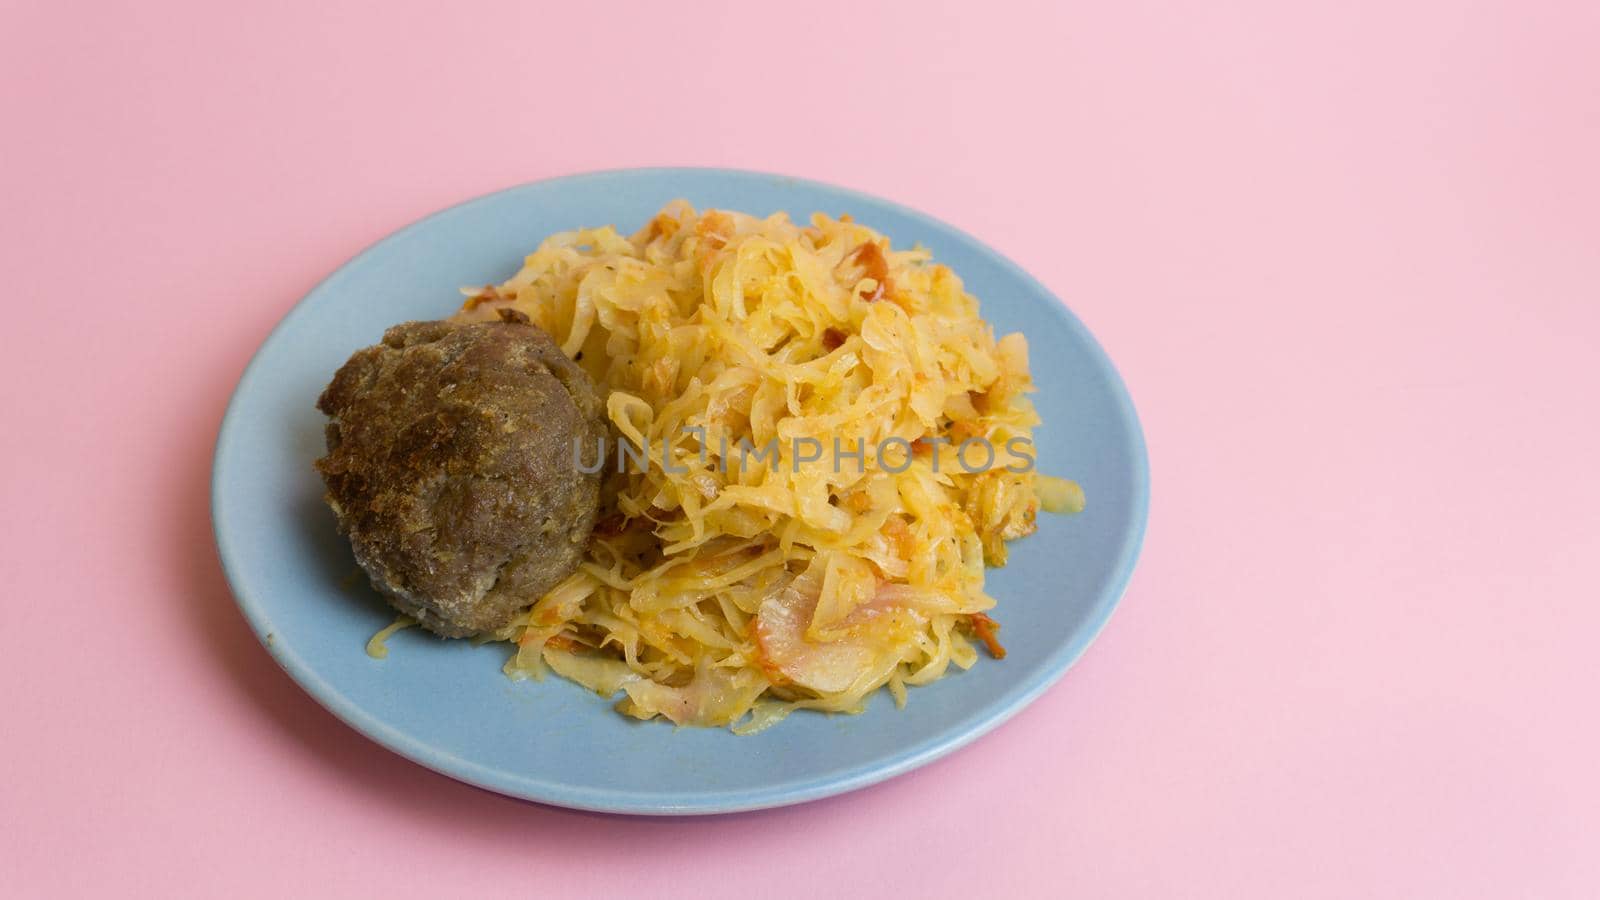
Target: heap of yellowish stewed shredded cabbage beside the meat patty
x=726, y=590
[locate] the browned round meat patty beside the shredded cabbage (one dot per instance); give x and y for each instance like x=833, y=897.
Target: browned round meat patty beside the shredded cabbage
x=450, y=468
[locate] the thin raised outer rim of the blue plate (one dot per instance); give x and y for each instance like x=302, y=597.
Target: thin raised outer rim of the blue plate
x=948, y=741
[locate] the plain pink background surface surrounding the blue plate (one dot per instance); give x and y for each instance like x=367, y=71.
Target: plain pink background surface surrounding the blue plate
x=1345, y=255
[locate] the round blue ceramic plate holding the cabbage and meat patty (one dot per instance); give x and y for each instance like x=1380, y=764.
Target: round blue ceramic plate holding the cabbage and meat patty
x=447, y=705
